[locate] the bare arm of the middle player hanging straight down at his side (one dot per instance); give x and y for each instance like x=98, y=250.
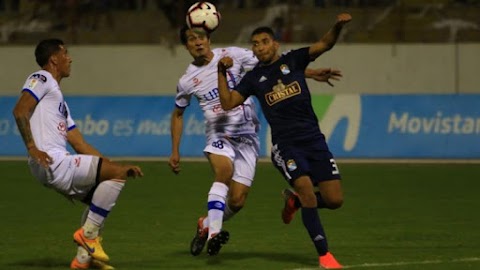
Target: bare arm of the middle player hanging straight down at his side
x=176, y=128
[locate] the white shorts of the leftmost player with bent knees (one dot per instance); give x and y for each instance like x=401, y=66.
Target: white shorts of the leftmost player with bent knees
x=71, y=175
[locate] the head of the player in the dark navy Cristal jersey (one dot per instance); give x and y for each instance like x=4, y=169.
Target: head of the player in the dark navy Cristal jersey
x=264, y=44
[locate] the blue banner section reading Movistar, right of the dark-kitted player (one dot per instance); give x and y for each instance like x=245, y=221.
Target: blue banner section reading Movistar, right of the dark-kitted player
x=400, y=126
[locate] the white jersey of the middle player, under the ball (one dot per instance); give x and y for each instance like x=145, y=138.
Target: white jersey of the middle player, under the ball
x=202, y=82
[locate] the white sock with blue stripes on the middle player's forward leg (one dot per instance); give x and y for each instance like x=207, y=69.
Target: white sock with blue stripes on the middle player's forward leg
x=216, y=204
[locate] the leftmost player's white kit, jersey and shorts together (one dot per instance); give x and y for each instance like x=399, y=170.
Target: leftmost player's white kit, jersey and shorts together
x=72, y=175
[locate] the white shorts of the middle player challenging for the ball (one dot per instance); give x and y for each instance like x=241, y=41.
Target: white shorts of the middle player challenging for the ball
x=242, y=151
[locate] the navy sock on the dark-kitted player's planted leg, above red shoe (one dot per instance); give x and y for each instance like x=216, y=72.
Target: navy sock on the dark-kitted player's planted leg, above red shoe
x=312, y=223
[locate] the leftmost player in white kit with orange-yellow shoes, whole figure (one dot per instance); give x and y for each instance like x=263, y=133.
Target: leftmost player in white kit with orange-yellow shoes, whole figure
x=46, y=125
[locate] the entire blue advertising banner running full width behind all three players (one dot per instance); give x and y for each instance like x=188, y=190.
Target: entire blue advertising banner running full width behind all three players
x=356, y=126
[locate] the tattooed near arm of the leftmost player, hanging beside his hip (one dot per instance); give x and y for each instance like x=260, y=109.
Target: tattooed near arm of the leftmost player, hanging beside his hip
x=22, y=112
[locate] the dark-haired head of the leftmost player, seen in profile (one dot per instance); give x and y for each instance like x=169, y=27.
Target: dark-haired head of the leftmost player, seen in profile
x=52, y=54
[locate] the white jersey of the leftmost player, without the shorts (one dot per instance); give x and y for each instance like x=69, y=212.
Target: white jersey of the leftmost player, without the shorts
x=51, y=119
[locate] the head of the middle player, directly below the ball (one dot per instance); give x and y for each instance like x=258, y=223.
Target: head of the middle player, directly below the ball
x=197, y=41
